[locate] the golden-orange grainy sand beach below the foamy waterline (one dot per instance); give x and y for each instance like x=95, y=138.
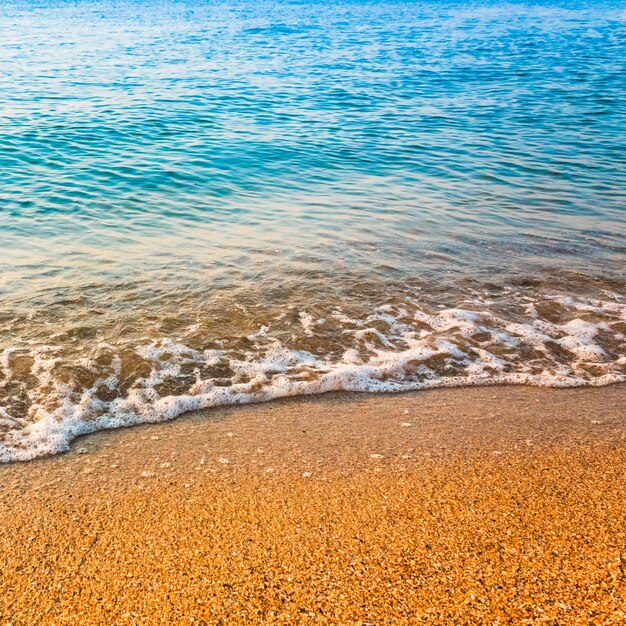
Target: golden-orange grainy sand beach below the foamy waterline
x=456, y=506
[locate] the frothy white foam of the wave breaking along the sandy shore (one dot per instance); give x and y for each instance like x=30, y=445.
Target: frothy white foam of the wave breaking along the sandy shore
x=394, y=349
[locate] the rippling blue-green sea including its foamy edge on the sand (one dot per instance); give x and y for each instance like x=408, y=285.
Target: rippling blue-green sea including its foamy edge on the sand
x=207, y=203
